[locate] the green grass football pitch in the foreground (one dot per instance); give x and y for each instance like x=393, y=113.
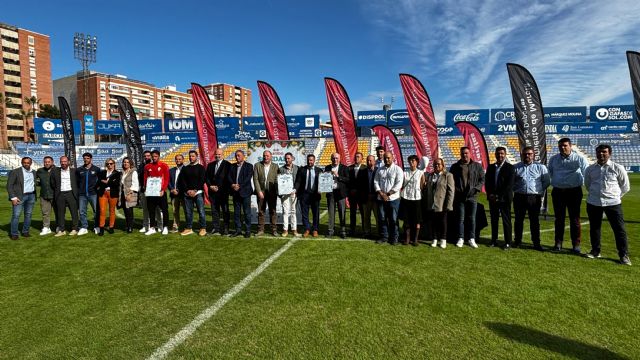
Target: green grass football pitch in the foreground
x=123, y=296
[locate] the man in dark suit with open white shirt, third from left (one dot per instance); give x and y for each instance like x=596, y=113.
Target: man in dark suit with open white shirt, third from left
x=65, y=194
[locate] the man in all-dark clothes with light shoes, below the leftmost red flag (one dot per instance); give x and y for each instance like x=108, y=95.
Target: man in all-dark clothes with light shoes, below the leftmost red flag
x=191, y=185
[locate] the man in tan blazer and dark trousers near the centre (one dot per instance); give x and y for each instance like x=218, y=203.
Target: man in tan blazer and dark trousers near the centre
x=265, y=182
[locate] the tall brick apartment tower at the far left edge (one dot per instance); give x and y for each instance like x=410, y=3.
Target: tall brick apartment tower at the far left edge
x=25, y=69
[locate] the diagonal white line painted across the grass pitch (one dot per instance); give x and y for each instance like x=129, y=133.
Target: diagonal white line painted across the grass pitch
x=188, y=330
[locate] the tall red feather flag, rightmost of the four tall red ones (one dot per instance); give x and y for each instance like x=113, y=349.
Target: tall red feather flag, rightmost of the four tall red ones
x=423, y=121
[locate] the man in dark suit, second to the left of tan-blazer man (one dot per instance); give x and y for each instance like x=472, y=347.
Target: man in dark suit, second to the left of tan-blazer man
x=219, y=186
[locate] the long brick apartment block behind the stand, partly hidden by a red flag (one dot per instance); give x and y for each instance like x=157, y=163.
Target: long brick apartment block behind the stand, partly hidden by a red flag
x=148, y=101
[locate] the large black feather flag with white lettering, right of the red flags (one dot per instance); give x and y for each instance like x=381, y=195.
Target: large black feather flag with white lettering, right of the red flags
x=528, y=111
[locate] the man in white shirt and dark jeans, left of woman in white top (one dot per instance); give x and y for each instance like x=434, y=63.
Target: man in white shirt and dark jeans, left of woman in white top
x=387, y=183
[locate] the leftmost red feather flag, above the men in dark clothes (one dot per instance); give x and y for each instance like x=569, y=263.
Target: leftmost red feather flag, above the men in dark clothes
x=205, y=124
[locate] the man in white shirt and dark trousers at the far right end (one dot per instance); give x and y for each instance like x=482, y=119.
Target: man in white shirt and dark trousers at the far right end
x=606, y=183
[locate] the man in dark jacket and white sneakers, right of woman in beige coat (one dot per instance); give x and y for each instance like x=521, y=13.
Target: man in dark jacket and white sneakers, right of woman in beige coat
x=469, y=178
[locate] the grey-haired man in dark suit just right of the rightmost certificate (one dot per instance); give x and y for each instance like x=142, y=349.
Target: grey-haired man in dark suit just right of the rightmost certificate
x=338, y=196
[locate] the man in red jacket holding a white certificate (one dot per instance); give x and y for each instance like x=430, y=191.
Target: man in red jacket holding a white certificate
x=156, y=179
